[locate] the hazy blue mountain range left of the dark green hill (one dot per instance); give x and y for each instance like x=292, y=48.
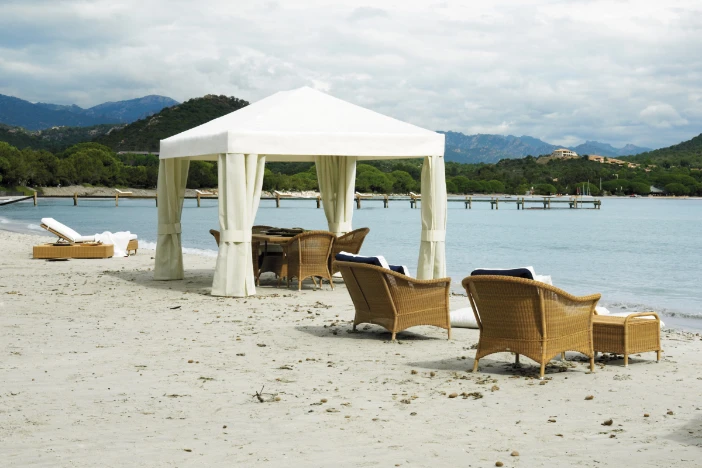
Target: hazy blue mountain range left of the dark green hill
x=39, y=116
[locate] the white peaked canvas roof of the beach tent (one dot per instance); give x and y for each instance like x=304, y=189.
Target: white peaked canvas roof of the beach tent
x=300, y=124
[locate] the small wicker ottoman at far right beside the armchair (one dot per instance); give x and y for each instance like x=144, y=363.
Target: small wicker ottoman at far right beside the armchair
x=627, y=335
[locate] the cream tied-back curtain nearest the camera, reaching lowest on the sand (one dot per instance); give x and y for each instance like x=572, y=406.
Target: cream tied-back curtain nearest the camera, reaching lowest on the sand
x=240, y=181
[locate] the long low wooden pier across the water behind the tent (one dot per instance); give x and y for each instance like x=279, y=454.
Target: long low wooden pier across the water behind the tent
x=521, y=203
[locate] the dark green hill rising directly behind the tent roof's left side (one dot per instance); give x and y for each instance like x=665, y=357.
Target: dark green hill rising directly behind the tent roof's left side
x=145, y=134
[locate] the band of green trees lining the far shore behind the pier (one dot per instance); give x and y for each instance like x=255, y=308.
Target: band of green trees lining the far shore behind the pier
x=96, y=164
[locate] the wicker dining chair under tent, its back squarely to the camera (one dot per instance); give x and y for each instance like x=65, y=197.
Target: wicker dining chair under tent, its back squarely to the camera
x=307, y=254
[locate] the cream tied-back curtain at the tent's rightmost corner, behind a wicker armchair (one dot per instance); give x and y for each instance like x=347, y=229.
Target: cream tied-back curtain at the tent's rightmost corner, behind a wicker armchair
x=432, y=249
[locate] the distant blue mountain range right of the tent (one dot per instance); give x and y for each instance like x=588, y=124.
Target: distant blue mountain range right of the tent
x=488, y=148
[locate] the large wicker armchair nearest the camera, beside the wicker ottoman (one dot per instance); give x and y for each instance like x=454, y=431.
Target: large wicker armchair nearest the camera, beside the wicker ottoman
x=530, y=318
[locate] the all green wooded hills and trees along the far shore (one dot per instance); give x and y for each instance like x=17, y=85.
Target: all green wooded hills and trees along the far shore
x=58, y=157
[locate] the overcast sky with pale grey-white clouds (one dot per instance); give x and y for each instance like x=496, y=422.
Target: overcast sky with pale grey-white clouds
x=563, y=71
